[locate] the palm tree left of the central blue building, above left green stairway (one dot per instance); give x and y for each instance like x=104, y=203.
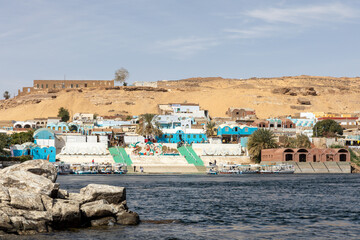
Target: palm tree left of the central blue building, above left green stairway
x=147, y=127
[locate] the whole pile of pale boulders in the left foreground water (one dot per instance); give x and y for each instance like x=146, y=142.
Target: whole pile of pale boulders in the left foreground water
x=31, y=202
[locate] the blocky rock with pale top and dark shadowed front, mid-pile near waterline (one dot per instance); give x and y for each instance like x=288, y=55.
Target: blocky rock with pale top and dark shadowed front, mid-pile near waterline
x=66, y=213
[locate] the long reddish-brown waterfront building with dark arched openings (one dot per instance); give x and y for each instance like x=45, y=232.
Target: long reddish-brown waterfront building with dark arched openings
x=305, y=155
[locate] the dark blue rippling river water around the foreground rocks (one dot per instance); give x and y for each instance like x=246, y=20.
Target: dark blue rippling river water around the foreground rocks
x=230, y=207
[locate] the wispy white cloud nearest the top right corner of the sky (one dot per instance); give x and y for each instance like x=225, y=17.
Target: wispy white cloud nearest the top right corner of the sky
x=304, y=14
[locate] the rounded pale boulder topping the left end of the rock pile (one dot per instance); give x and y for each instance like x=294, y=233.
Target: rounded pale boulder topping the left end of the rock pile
x=38, y=167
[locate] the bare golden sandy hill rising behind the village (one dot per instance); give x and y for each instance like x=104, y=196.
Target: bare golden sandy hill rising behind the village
x=270, y=97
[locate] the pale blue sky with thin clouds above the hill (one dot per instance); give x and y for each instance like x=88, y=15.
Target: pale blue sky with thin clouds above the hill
x=176, y=39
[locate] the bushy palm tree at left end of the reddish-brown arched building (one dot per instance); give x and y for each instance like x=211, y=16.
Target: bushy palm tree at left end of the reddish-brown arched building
x=260, y=139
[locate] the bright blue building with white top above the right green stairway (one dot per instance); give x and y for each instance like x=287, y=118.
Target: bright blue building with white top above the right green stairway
x=187, y=135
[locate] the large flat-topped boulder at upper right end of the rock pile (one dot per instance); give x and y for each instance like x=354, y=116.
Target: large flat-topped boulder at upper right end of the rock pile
x=112, y=194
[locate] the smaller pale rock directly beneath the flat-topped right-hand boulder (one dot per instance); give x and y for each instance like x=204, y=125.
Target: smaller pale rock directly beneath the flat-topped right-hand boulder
x=100, y=208
